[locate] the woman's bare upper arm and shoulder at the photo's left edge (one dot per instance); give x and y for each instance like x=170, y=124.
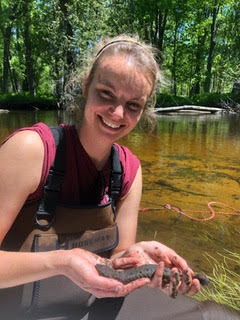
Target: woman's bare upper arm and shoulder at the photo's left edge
x=21, y=160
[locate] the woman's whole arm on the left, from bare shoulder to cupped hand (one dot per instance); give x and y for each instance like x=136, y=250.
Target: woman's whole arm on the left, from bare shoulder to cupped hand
x=21, y=161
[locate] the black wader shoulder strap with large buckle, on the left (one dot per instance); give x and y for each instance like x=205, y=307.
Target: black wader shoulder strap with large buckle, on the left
x=47, y=209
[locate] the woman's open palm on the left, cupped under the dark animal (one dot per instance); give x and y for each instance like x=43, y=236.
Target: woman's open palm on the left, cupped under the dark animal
x=81, y=270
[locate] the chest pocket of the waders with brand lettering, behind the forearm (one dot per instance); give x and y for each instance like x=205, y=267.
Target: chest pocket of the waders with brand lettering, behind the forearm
x=60, y=293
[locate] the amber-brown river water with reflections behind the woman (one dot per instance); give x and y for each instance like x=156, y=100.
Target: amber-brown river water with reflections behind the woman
x=188, y=161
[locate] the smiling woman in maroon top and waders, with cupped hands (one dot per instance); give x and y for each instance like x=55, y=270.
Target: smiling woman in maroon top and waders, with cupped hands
x=118, y=89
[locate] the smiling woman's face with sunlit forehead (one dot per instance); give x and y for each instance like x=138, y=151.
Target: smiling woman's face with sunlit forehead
x=115, y=98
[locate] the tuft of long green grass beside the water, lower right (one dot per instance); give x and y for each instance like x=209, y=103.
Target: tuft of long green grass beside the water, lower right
x=224, y=285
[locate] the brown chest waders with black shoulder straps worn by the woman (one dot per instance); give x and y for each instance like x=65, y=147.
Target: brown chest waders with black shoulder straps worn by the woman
x=49, y=225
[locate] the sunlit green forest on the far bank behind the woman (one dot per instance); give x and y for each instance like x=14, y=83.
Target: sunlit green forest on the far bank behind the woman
x=42, y=42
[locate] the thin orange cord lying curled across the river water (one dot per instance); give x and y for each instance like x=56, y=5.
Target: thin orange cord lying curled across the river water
x=236, y=212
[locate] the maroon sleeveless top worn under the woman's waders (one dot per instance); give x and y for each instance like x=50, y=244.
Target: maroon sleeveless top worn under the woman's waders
x=83, y=183
